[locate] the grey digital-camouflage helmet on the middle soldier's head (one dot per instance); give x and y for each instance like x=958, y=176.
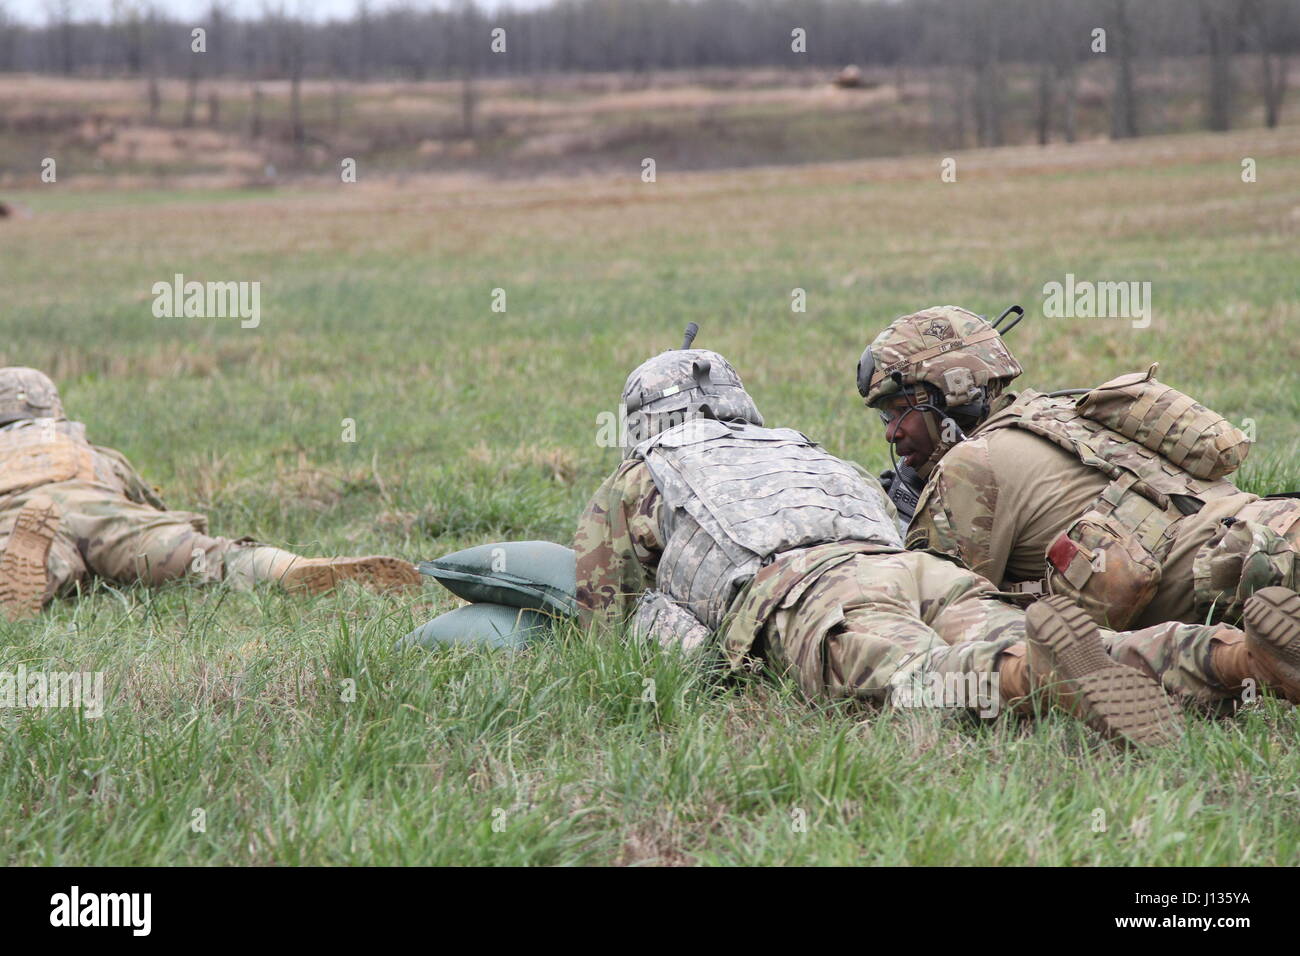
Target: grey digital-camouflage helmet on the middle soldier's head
x=679, y=386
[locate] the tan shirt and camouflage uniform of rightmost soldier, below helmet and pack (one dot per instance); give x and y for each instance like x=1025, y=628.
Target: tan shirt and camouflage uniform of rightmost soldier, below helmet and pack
x=1017, y=508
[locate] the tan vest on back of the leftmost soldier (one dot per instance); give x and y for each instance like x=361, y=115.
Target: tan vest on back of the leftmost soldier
x=41, y=452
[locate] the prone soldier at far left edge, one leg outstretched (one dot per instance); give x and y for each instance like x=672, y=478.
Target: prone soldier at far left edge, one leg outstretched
x=70, y=509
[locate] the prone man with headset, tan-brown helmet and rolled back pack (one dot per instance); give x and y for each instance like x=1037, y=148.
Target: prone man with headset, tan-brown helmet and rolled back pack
x=1117, y=499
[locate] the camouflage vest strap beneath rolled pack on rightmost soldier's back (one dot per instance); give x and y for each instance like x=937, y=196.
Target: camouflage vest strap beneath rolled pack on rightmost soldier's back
x=1147, y=494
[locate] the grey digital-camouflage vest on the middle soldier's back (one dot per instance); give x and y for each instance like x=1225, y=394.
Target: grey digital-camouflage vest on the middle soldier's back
x=736, y=496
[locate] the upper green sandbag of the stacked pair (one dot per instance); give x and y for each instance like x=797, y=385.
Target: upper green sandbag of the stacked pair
x=538, y=576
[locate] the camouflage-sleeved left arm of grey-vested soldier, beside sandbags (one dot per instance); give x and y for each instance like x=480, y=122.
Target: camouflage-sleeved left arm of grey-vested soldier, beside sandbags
x=618, y=544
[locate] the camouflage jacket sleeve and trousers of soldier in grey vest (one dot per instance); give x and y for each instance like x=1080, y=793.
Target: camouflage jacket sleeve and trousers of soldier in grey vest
x=850, y=618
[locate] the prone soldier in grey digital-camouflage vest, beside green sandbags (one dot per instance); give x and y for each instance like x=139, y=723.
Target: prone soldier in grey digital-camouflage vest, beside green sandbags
x=716, y=529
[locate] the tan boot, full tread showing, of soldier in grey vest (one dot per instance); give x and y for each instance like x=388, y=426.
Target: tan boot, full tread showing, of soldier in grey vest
x=1069, y=663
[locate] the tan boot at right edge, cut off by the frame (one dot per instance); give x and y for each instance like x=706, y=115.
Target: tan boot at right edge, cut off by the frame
x=1269, y=655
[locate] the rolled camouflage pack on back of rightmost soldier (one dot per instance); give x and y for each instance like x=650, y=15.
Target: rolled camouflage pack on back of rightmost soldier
x=1169, y=423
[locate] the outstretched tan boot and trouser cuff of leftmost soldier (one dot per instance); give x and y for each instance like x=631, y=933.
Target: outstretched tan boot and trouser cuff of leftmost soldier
x=250, y=565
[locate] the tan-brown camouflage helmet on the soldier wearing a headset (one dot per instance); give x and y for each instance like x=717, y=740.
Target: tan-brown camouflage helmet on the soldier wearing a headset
x=955, y=352
